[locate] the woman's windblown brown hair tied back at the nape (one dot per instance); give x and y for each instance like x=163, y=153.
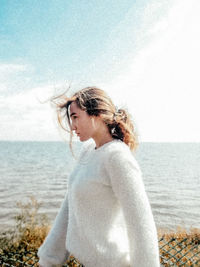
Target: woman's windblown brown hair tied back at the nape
x=97, y=103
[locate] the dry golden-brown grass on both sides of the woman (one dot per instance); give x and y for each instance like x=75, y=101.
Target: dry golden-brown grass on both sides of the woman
x=178, y=248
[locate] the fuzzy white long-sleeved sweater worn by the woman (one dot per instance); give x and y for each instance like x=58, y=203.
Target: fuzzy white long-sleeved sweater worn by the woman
x=105, y=219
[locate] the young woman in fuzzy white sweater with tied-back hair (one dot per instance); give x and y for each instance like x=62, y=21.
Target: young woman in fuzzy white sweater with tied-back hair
x=105, y=219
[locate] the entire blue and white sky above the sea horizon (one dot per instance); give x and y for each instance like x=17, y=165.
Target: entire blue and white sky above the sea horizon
x=144, y=53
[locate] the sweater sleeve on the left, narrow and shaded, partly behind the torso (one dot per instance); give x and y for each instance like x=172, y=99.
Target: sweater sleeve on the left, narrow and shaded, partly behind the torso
x=53, y=251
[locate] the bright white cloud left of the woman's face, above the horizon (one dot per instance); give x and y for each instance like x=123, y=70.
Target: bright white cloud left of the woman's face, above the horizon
x=23, y=117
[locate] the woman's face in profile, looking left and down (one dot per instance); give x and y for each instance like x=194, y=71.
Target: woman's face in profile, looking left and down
x=85, y=126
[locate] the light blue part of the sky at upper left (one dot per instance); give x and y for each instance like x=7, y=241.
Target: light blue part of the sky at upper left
x=60, y=37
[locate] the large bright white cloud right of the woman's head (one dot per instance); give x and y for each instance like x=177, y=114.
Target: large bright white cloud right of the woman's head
x=161, y=82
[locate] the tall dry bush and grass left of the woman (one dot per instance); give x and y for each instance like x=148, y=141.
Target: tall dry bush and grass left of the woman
x=28, y=234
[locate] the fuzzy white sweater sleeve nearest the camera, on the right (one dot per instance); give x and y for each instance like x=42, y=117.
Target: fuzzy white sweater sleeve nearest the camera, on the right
x=127, y=185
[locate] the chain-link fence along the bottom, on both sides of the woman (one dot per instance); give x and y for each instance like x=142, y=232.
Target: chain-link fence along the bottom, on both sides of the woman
x=173, y=252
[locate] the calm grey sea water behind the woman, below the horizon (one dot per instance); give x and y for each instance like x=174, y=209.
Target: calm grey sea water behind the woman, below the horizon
x=171, y=174
